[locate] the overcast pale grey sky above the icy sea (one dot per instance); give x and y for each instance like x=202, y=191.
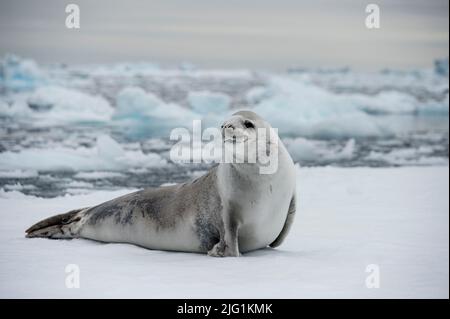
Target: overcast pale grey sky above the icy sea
x=259, y=34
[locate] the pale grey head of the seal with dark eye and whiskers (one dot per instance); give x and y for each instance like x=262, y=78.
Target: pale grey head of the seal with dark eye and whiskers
x=248, y=139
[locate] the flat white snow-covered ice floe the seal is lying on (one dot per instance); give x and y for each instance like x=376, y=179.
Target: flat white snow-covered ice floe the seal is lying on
x=347, y=219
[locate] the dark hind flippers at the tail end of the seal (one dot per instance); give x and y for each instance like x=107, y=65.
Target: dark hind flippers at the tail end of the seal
x=62, y=226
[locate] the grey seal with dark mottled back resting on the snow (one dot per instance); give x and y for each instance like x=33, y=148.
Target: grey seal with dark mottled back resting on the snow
x=230, y=210
